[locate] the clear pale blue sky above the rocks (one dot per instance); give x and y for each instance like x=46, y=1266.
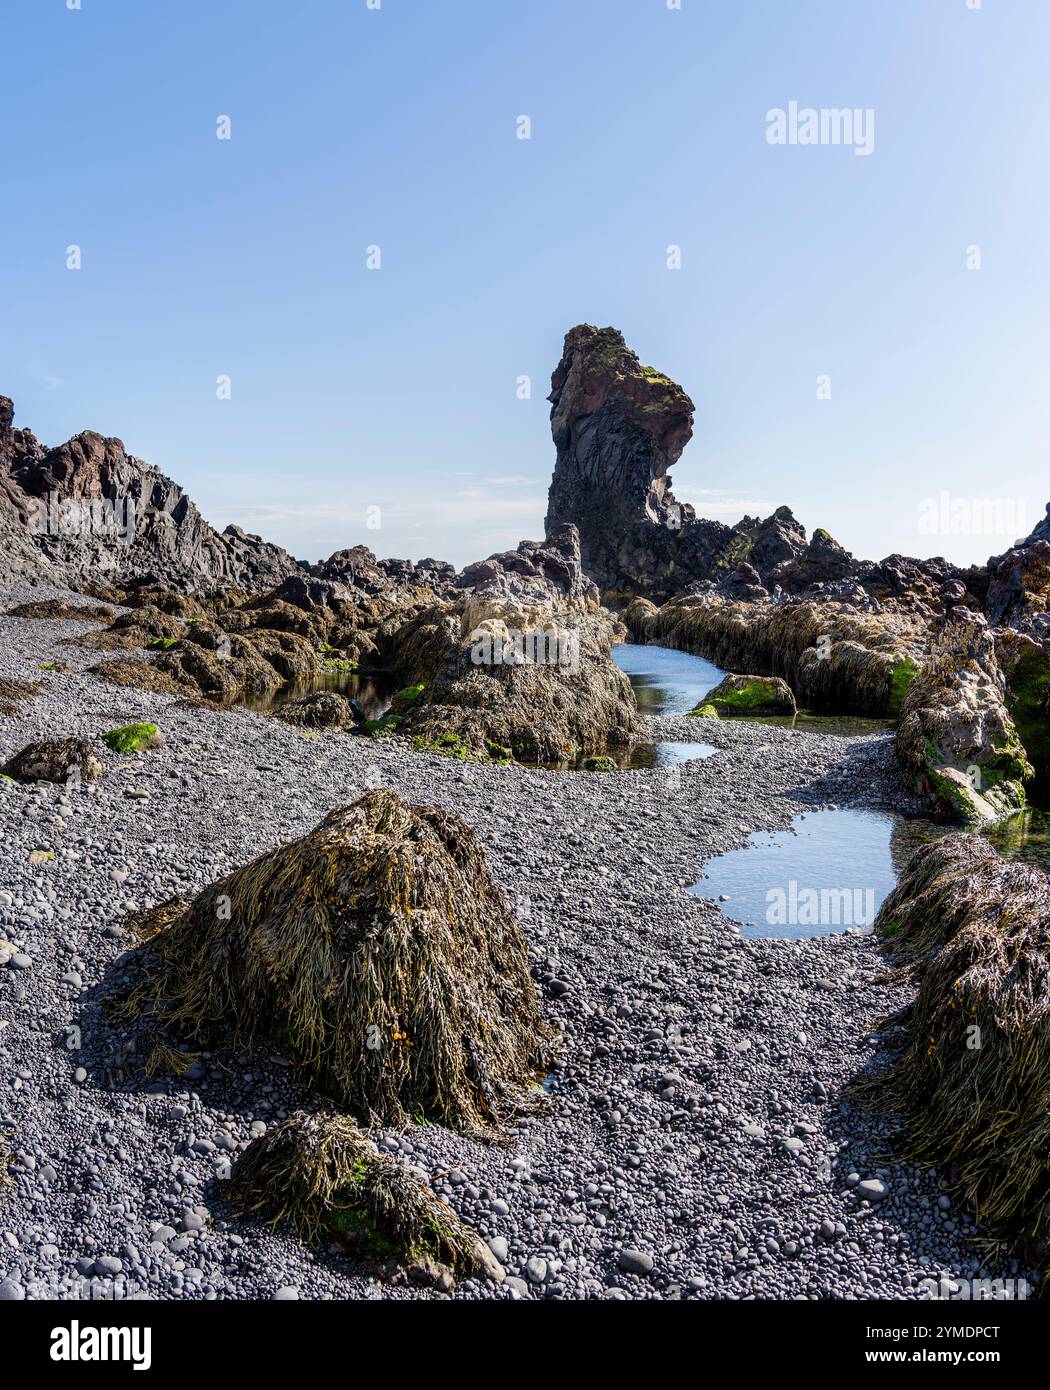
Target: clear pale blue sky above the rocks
x=354, y=389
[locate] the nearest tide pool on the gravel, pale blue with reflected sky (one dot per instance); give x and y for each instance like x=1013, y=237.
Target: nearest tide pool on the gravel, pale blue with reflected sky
x=834, y=869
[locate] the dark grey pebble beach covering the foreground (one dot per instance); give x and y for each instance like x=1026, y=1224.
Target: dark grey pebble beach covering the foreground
x=697, y=1143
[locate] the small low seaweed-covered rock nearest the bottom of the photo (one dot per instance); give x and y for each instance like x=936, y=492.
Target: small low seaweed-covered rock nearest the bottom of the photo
x=325, y=1178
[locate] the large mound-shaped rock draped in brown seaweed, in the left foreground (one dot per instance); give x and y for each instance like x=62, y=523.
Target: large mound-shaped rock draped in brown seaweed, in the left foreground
x=378, y=953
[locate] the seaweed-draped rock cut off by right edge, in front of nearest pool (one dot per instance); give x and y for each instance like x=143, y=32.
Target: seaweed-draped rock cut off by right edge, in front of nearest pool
x=974, y=1077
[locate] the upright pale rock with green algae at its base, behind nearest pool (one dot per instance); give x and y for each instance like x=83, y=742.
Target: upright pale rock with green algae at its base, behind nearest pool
x=956, y=739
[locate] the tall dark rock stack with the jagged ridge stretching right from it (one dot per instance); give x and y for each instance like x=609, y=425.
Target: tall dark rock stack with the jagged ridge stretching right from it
x=618, y=429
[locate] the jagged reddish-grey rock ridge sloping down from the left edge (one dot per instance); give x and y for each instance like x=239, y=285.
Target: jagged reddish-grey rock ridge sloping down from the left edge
x=90, y=512
